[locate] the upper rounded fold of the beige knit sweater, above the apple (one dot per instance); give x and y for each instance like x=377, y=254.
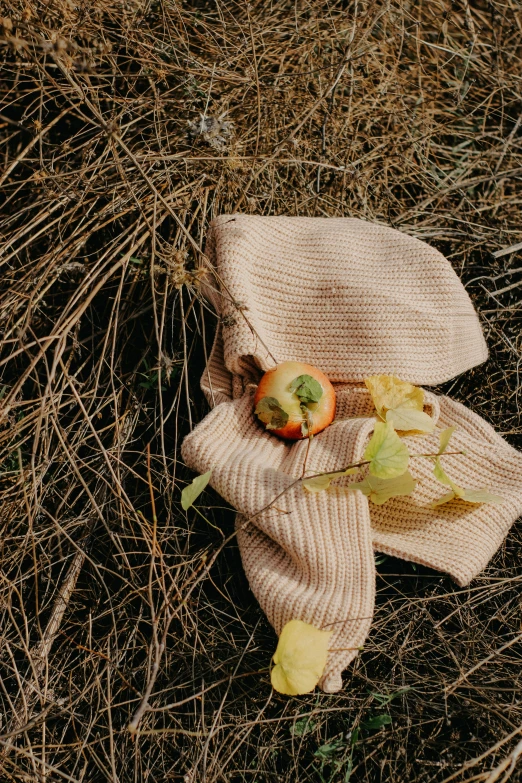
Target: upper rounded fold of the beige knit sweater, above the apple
x=350, y=297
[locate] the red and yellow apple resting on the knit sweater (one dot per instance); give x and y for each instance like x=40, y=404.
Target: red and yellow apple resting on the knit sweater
x=295, y=400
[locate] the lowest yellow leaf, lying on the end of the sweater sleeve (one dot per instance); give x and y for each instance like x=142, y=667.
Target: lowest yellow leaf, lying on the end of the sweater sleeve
x=300, y=658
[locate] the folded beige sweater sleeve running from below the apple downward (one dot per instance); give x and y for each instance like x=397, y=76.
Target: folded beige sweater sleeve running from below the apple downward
x=309, y=556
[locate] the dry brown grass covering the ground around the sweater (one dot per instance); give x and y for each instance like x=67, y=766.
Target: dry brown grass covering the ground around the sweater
x=126, y=126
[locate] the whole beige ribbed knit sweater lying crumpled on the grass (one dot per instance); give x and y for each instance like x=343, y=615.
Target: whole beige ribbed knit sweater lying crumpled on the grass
x=354, y=299
